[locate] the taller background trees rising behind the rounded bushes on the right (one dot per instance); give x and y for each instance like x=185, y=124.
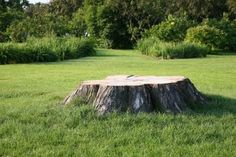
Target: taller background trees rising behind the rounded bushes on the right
x=120, y=22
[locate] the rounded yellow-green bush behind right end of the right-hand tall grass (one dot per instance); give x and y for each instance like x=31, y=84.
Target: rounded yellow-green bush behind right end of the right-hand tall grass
x=212, y=37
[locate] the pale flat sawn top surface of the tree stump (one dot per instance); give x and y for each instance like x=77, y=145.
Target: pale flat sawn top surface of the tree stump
x=130, y=80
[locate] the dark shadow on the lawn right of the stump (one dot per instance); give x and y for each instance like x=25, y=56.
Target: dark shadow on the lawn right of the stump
x=217, y=105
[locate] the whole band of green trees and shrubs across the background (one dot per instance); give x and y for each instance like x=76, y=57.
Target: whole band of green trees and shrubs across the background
x=118, y=23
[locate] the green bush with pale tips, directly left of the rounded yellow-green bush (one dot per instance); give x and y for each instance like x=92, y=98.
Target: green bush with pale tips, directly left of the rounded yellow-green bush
x=173, y=29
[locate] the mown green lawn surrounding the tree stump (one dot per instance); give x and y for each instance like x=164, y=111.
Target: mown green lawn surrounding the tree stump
x=33, y=123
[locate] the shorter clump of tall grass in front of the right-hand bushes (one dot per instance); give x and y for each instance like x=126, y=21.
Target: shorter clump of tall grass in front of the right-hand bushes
x=154, y=47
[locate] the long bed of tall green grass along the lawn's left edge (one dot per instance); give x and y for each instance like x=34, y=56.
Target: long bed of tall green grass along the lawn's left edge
x=48, y=49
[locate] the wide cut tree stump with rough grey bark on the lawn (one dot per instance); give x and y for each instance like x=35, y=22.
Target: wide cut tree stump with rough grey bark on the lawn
x=171, y=94
